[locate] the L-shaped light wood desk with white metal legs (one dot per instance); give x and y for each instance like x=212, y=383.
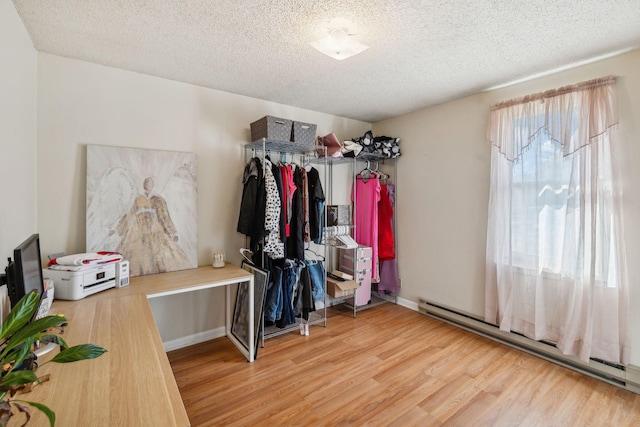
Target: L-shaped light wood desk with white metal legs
x=132, y=384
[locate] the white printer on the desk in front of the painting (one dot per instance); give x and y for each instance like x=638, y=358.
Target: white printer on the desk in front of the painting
x=75, y=285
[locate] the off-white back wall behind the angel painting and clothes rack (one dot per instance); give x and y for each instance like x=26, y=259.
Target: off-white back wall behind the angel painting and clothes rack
x=81, y=103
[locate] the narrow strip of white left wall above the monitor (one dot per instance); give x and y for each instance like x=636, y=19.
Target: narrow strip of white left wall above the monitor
x=18, y=155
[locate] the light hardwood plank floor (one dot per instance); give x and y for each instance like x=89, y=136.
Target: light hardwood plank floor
x=390, y=366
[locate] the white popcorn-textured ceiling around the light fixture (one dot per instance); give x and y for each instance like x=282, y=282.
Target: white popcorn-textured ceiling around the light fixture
x=421, y=53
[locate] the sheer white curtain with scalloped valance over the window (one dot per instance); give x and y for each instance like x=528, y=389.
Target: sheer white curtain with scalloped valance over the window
x=556, y=267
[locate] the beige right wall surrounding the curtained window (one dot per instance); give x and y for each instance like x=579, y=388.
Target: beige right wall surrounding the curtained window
x=443, y=188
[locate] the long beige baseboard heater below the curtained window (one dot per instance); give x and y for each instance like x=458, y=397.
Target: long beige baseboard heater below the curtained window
x=627, y=377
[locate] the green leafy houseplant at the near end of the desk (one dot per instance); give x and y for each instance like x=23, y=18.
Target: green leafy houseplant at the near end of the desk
x=18, y=335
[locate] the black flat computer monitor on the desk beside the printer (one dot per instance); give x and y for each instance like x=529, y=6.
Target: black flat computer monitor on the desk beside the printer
x=24, y=273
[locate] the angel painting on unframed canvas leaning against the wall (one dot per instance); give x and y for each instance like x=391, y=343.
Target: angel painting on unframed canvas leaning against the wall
x=143, y=204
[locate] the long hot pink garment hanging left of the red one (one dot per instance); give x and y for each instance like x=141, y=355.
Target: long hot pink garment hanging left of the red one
x=367, y=193
